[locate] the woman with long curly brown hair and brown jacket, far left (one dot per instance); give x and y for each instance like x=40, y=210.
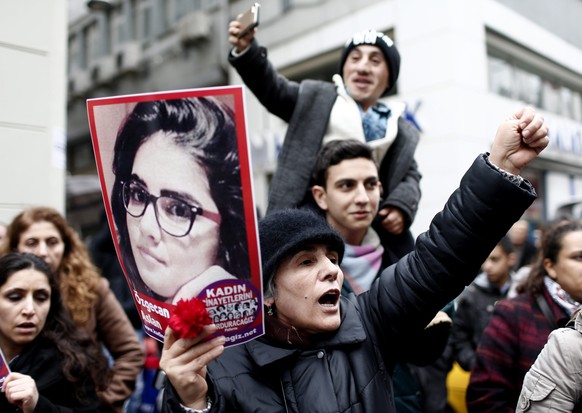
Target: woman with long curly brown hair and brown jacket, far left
x=44, y=232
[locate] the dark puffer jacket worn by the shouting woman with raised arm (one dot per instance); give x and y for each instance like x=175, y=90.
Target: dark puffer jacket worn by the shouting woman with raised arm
x=350, y=369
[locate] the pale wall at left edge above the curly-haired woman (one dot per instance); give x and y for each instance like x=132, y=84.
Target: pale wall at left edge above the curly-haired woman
x=33, y=39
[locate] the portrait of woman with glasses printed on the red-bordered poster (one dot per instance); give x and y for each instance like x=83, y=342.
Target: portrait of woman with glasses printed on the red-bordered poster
x=177, y=198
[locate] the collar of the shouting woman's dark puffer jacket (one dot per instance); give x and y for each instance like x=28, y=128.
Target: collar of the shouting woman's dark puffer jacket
x=351, y=331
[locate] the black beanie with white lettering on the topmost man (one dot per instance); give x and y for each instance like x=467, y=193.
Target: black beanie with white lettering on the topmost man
x=381, y=41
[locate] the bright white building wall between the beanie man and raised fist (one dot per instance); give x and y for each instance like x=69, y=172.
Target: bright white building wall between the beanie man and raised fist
x=444, y=66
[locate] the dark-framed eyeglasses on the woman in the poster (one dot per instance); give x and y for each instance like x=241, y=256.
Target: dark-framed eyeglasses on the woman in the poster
x=174, y=216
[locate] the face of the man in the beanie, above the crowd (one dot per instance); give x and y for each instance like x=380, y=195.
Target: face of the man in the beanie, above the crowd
x=365, y=74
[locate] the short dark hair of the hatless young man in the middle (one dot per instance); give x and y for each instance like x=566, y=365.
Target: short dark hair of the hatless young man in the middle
x=336, y=151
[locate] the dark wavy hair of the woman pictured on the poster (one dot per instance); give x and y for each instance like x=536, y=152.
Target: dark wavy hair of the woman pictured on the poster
x=205, y=128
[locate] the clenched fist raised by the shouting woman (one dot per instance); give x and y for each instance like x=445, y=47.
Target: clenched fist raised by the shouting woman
x=519, y=140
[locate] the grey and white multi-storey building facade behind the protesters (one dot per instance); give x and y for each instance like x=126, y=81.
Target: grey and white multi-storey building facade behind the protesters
x=465, y=67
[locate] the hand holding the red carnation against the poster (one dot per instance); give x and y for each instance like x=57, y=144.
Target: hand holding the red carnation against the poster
x=184, y=361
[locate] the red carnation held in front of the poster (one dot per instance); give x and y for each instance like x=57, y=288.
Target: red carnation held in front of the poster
x=189, y=317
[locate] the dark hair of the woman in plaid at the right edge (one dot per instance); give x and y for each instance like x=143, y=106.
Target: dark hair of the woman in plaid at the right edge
x=551, y=245
